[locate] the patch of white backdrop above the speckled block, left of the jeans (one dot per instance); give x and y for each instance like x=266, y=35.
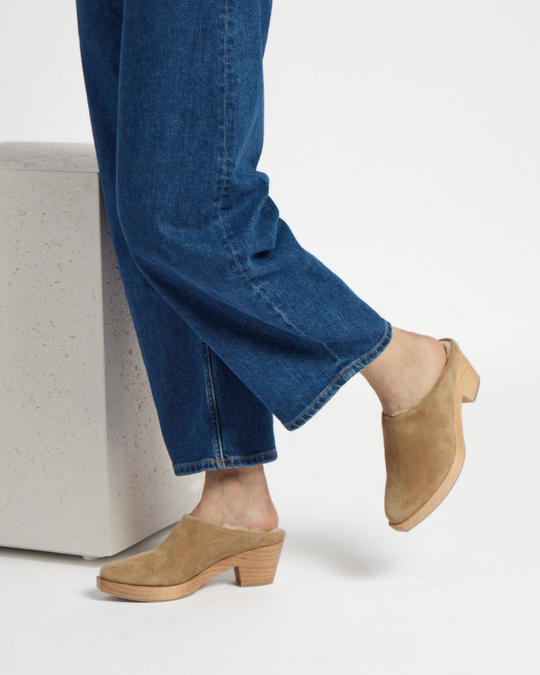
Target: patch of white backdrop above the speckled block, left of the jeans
x=43, y=96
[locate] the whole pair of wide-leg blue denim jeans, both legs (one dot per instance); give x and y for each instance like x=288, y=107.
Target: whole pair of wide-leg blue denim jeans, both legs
x=236, y=321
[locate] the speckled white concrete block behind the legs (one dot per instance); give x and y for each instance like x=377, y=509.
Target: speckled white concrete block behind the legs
x=83, y=466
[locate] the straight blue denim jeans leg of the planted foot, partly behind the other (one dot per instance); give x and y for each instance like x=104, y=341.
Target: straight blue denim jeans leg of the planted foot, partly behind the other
x=208, y=417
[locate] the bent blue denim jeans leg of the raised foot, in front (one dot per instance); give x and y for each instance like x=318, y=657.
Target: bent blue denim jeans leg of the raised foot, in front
x=196, y=214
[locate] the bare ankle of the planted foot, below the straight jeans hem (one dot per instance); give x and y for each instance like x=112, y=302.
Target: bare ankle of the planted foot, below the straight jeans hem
x=233, y=497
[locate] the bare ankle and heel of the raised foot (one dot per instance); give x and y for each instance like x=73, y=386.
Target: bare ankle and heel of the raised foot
x=406, y=370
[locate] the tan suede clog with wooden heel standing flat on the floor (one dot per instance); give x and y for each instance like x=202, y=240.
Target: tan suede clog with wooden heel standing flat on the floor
x=194, y=552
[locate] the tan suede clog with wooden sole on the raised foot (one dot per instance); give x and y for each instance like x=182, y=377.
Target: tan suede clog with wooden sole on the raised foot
x=424, y=446
